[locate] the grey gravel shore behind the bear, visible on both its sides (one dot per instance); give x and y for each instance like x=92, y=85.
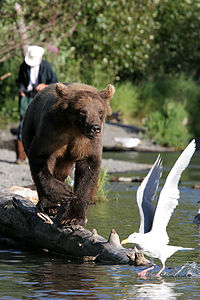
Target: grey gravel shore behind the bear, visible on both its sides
x=12, y=174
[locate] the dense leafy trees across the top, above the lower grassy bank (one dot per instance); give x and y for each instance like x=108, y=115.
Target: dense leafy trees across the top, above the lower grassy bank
x=125, y=39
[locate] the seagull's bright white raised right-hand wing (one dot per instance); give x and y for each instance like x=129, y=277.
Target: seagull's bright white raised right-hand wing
x=169, y=195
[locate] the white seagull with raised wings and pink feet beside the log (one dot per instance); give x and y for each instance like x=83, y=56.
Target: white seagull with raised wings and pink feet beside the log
x=152, y=239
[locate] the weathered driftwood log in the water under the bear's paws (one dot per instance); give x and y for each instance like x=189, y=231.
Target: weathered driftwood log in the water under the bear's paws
x=21, y=221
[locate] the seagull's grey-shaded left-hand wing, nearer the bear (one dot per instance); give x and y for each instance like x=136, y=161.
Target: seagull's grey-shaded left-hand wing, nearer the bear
x=146, y=194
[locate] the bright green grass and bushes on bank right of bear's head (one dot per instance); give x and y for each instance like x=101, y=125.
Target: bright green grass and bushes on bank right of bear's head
x=168, y=107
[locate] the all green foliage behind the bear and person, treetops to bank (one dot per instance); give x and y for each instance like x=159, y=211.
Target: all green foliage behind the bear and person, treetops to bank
x=113, y=41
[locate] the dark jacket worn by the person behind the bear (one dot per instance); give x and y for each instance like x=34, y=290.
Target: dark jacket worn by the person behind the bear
x=46, y=75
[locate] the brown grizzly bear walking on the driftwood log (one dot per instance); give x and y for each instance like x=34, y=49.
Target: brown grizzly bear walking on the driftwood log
x=63, y=128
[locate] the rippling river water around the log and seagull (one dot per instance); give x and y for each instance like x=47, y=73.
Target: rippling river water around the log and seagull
x=31, y=275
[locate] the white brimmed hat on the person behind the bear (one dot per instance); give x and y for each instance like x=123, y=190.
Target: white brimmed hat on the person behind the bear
x=34, y=56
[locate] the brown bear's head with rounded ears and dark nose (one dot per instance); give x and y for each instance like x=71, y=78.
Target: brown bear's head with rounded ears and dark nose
x=84, y=106
